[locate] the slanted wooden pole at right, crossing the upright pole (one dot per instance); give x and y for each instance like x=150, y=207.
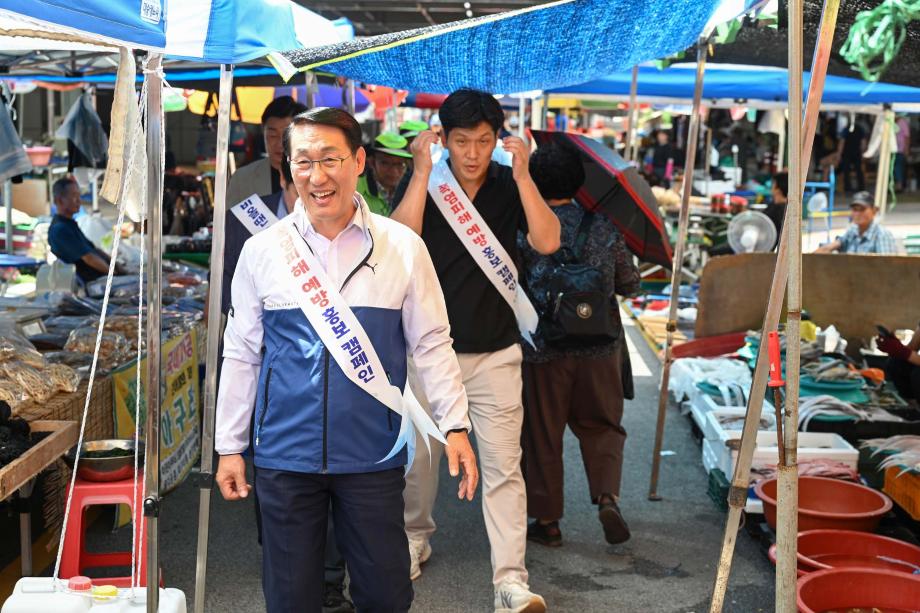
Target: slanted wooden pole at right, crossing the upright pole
x=737, y=497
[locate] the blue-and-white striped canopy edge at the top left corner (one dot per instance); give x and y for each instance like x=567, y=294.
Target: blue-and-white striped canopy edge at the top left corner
x=213, y=31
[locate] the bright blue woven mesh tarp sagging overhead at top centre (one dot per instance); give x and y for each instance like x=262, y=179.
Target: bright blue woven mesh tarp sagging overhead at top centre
x=551, y=45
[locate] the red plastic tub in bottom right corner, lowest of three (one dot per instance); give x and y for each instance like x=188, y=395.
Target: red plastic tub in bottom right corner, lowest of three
x=844, y=589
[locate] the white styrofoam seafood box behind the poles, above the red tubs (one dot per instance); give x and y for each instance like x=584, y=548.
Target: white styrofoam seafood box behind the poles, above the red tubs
x=812, y=446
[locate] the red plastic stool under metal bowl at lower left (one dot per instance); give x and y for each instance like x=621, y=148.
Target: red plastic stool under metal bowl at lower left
x=75, y=559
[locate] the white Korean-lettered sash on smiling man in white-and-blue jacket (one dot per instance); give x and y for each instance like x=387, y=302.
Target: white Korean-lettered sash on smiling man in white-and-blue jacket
x=345, y=338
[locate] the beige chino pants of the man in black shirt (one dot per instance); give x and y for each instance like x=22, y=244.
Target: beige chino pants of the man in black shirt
x=493, y=385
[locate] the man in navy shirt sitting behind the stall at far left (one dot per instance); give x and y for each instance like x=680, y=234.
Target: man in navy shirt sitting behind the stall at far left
x=66, y=239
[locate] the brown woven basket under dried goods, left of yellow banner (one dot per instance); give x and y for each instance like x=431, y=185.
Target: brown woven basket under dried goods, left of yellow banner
x=69, y=407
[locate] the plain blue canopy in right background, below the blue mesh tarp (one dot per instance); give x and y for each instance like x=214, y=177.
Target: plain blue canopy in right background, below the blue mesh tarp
x=729, y=85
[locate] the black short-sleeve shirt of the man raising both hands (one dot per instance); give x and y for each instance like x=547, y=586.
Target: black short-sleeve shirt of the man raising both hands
x=480, y=319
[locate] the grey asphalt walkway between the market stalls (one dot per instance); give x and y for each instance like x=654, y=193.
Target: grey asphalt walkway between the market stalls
x=668, y=565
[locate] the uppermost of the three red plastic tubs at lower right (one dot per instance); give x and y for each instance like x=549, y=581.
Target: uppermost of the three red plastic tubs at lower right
x=829, y=504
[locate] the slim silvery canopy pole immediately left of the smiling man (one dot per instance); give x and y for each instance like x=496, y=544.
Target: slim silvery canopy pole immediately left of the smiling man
x=215, y=291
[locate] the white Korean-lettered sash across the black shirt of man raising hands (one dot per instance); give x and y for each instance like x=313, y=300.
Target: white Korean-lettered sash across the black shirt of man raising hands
x=482, y=244
